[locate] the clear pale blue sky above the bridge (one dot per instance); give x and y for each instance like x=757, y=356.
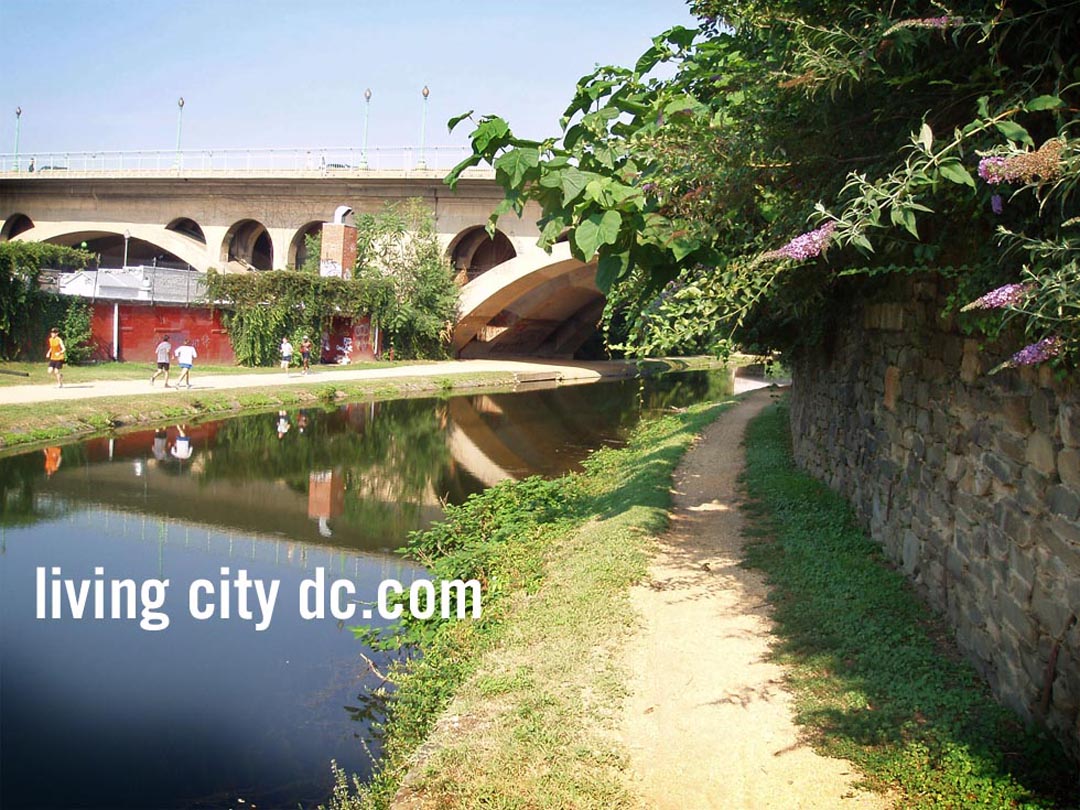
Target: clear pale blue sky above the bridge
x=106, y=75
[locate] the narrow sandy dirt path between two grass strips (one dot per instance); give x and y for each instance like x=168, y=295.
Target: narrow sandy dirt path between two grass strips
x=709, y=724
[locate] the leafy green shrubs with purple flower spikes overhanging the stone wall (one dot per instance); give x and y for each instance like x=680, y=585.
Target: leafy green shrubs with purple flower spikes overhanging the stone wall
x=913, y=136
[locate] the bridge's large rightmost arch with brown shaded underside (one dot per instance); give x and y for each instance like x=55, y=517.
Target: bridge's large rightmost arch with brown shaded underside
x=550, y=312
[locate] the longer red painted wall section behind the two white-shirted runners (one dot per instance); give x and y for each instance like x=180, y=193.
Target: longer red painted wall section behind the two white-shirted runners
x=143, y=327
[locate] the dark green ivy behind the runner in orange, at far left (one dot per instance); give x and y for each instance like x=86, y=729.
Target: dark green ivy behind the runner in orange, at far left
x=28, y=313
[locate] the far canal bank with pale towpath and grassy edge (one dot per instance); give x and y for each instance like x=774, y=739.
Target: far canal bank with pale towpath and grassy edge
x=34, y=415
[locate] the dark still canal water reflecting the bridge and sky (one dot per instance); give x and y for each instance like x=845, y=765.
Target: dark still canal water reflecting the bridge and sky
x=223, y=704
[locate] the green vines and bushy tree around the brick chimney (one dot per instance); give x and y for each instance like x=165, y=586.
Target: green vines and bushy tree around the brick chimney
x=401, y=281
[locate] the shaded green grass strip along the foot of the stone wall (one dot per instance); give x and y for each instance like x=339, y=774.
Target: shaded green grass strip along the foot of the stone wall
x=876, y=677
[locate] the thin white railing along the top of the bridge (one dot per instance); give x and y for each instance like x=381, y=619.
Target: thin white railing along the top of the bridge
x=315, y=161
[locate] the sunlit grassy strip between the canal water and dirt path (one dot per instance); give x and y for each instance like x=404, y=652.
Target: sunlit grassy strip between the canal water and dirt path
x=537, y=685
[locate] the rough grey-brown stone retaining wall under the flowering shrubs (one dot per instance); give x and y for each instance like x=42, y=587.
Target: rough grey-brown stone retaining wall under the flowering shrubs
x=971, y=483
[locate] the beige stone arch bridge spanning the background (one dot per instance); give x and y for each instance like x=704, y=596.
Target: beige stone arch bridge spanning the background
x=517, y=300
